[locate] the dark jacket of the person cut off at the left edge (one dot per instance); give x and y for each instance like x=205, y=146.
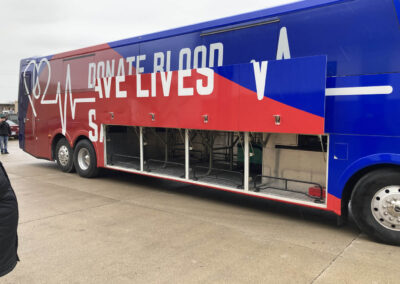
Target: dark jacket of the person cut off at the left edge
x=8, y=225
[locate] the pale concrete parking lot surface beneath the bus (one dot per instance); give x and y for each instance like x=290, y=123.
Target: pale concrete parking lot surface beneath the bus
x=124, y=228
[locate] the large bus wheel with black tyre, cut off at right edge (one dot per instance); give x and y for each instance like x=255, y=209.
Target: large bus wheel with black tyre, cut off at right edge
x=375, y=204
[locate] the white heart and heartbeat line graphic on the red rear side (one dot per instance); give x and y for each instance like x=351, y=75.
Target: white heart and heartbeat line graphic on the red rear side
x=36, y=93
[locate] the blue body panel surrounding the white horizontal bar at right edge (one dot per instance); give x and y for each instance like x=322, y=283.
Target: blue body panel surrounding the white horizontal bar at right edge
x=364, y=114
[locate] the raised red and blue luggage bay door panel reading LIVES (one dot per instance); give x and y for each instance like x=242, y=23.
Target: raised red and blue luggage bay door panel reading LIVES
x=281, y=96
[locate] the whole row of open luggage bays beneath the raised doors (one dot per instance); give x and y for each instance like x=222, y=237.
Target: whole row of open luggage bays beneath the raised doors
x=291, y=166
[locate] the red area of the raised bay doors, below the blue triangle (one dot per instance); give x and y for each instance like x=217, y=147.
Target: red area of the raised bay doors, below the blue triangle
x=229, y=107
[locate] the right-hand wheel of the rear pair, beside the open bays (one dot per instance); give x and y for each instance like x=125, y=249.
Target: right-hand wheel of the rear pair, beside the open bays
x=85, y=159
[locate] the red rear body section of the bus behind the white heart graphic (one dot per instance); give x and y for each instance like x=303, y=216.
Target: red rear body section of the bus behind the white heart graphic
x=41, y=130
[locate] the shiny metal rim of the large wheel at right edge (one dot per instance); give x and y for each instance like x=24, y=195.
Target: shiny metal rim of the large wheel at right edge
x=385, y=207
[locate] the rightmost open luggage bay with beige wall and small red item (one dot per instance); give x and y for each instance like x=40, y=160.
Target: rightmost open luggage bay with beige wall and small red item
x=294, y=166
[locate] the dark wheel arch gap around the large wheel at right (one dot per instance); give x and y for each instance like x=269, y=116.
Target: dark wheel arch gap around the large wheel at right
x=349, y=187
